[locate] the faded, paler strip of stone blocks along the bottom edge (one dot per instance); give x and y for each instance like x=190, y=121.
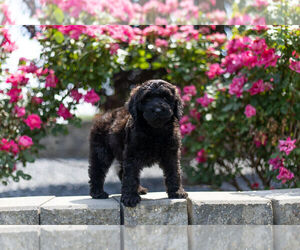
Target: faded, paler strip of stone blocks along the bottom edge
x=113, y=237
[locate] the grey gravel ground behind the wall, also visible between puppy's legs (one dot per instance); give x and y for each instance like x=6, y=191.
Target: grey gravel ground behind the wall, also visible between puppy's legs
x=64, y=177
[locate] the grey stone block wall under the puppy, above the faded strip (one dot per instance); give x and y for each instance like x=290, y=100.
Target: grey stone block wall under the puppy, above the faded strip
x=278, y=207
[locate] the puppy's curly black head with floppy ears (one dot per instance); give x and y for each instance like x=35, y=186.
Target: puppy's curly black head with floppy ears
x=155, y=101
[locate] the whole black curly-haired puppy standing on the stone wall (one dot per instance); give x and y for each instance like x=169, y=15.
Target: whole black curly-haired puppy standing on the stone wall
x=144, y=132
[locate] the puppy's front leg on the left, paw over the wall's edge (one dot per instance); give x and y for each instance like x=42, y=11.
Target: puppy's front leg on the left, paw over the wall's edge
x=130, y=183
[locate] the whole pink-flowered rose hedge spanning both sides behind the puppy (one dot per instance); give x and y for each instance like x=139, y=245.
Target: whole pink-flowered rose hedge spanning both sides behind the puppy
x=241, y=94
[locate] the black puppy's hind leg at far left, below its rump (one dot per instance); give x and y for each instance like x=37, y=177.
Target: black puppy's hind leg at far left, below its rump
x=100, y=160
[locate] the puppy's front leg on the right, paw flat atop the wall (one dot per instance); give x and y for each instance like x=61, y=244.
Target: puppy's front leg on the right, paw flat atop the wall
x=170, y=164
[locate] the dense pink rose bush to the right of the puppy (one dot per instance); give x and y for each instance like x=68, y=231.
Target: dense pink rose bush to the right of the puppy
x=249, y=112
